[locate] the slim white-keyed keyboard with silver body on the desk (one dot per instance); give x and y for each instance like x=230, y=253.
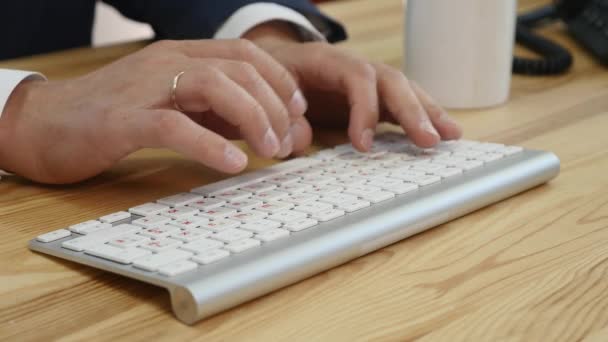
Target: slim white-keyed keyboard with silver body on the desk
x=224, y=243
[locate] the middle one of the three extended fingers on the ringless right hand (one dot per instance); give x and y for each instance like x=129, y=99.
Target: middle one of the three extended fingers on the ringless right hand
x=401, y=101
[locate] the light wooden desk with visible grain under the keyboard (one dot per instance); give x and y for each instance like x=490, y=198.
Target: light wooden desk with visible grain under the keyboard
x=531, y=268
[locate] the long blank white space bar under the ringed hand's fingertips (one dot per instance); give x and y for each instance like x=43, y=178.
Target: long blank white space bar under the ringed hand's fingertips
x=242, y=180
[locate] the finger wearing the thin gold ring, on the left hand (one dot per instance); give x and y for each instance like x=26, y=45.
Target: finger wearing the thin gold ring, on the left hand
x=203, y=88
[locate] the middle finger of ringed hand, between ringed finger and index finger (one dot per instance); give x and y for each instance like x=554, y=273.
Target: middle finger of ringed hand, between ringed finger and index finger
x=249, y=79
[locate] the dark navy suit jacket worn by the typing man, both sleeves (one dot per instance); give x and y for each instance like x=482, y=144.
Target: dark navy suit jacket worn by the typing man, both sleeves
x=36, y=26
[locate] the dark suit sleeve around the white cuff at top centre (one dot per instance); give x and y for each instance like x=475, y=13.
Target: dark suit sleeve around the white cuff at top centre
x=196, y=19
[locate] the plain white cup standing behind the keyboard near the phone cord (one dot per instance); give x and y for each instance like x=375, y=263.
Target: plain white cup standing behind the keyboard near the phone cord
x=461, y=51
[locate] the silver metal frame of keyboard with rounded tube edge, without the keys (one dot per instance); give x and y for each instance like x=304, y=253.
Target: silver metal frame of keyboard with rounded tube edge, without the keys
x=245, y=276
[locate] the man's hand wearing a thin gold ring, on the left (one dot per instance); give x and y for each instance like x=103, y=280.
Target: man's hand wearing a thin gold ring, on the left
x=67, y=131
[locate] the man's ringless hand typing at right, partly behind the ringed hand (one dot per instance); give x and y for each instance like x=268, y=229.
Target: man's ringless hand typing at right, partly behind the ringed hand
x=336, y=82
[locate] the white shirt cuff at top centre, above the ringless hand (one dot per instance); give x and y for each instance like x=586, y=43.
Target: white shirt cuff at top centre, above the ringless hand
x=250, y=16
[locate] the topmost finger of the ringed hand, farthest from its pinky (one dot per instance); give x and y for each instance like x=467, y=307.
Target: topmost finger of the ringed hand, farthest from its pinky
x=279, y=78
